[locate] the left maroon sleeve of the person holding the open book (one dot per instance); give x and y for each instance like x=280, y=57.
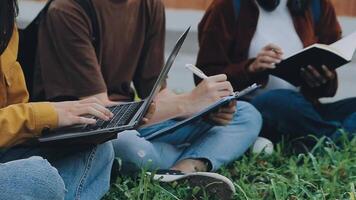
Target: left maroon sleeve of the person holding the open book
x=216, y=39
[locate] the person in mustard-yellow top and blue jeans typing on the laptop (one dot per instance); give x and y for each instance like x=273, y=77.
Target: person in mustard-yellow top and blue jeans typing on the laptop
x=25, y=173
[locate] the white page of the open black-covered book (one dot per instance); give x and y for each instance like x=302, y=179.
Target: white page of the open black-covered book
x=346, y=46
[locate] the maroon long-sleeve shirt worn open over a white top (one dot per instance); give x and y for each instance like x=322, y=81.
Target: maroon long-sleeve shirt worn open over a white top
x=225, y=39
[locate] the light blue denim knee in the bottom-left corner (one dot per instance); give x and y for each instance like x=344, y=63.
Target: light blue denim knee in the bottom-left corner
x=32, y=178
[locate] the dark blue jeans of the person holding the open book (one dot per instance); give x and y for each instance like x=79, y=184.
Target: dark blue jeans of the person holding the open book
x=289, y=113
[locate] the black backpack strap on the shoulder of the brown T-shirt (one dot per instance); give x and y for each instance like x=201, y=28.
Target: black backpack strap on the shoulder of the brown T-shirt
x=89, y=9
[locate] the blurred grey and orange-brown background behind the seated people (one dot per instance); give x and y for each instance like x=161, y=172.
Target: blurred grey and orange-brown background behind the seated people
x=183, y=13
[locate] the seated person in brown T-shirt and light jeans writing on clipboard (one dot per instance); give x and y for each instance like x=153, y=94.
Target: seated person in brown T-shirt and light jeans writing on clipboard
x=132, y=51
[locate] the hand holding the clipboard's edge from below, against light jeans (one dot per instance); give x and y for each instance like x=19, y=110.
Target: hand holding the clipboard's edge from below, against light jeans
x=224, y=115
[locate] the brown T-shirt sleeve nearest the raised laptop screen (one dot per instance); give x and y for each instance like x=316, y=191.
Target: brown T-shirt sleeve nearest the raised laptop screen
x=152, y=56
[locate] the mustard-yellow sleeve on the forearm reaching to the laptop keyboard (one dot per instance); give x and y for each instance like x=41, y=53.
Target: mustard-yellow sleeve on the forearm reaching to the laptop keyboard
x=23, y=121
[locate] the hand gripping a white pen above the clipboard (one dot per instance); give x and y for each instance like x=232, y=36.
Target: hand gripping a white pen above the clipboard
x=207, y=92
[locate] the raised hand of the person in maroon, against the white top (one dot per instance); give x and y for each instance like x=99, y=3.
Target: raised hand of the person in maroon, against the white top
x=266, y=59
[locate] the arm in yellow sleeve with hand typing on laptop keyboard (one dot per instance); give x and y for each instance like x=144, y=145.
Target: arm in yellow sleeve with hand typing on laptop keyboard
x=20, y=122
